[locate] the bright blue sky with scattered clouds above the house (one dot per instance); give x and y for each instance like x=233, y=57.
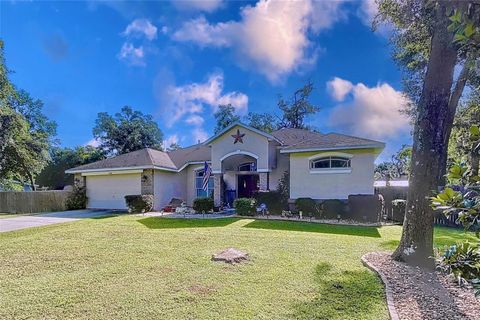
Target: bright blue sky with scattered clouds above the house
x=179, y=60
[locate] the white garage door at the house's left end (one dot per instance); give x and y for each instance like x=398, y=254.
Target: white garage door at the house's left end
x=109, y=191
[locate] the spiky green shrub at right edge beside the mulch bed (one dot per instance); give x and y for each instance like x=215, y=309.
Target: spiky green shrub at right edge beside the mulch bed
x=463, y=261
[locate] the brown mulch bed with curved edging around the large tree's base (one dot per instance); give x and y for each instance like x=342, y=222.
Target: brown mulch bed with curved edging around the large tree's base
x=414, y=293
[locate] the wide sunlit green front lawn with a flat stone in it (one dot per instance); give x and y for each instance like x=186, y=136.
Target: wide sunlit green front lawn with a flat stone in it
x=127, y=267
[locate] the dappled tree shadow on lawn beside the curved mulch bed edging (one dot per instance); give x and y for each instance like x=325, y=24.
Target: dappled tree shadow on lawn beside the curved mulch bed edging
x=343, y=295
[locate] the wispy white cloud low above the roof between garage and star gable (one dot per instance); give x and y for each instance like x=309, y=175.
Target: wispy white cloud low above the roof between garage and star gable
x=190, y=99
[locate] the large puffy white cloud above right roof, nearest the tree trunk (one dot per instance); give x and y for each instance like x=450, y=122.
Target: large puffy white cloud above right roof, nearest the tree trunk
x=373, y=112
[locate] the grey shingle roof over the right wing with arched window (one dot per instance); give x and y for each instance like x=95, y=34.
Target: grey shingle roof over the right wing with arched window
x=299, y=139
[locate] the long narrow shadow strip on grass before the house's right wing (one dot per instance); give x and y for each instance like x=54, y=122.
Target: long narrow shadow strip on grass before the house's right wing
x=314, y=227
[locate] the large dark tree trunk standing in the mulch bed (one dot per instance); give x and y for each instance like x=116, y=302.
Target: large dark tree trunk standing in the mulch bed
x=430, y=134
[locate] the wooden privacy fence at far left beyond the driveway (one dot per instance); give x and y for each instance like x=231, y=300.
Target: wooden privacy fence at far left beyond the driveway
x=31, y=202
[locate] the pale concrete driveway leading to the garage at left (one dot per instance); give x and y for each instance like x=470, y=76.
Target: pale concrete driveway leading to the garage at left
x=43, y=219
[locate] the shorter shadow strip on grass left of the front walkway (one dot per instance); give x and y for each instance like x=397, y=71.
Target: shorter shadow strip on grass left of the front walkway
x=172, y=223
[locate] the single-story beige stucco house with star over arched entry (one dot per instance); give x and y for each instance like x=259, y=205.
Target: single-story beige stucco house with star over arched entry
x=243, y=160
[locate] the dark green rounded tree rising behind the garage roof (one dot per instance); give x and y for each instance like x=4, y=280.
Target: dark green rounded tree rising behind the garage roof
x=126, y=131
